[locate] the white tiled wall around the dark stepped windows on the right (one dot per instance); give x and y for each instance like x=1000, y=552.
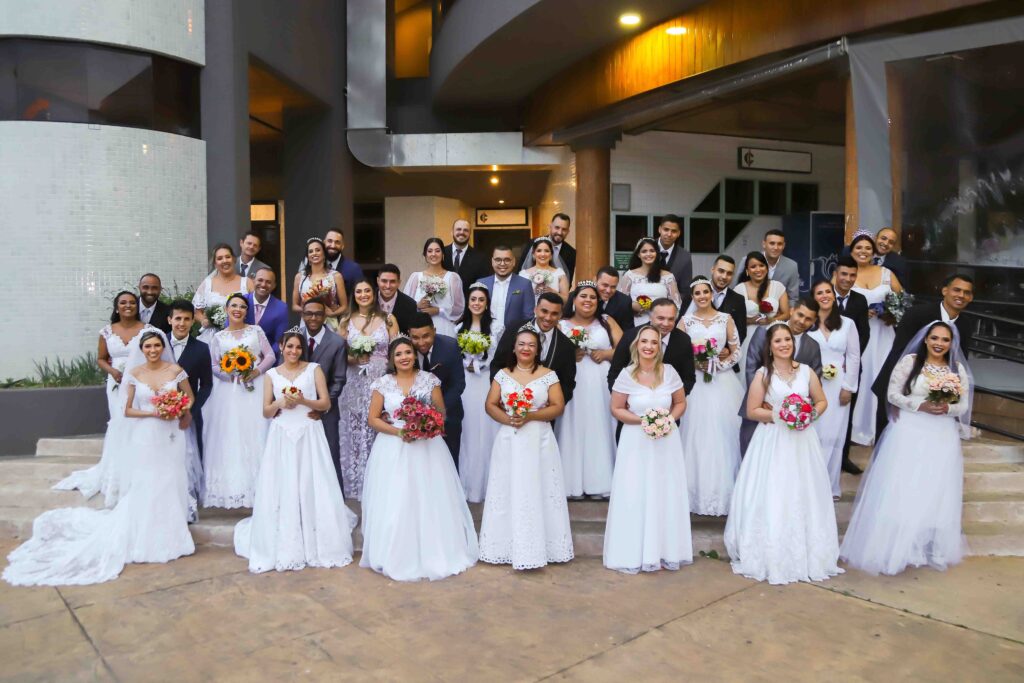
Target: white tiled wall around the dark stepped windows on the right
x=673, y=173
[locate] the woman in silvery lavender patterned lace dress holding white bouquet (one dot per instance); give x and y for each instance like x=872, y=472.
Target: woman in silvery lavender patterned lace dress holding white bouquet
x=366, y=327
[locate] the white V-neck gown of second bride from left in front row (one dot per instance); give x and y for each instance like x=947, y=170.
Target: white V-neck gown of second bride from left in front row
x=300, y=516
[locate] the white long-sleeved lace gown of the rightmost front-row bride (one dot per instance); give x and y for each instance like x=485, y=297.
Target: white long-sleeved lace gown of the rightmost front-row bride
x=908, y=513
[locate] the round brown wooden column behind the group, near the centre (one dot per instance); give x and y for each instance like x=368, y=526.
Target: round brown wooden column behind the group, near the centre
x=591, y=226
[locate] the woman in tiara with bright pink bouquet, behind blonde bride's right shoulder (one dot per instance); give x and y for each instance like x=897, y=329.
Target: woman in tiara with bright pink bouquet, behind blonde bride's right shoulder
x=711, y=436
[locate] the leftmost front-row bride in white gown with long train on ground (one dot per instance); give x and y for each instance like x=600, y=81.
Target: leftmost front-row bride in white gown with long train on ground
x=78, y=546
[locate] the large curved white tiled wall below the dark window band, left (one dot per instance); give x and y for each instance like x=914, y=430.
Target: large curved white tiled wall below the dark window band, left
x=88, y=210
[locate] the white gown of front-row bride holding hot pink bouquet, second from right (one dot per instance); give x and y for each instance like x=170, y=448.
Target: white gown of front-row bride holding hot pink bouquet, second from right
x=782, y=526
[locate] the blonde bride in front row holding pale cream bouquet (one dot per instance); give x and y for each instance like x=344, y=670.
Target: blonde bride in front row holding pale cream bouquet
x=649, y=526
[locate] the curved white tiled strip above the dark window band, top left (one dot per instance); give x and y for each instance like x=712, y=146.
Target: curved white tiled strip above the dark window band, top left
x=175, y=28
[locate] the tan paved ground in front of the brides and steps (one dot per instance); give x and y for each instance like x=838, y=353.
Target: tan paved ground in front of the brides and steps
x=205, y=618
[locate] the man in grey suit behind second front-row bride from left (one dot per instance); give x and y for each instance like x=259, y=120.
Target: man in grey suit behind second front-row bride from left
x=329, y=352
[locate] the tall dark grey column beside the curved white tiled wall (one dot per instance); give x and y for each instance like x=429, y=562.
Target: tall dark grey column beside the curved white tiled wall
x=225, y=94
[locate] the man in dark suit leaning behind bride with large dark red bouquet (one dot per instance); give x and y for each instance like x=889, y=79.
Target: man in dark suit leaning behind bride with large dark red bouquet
x=440, y=355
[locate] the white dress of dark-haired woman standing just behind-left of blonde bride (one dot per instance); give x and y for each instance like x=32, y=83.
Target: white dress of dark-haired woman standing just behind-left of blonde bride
x=586, y=432
